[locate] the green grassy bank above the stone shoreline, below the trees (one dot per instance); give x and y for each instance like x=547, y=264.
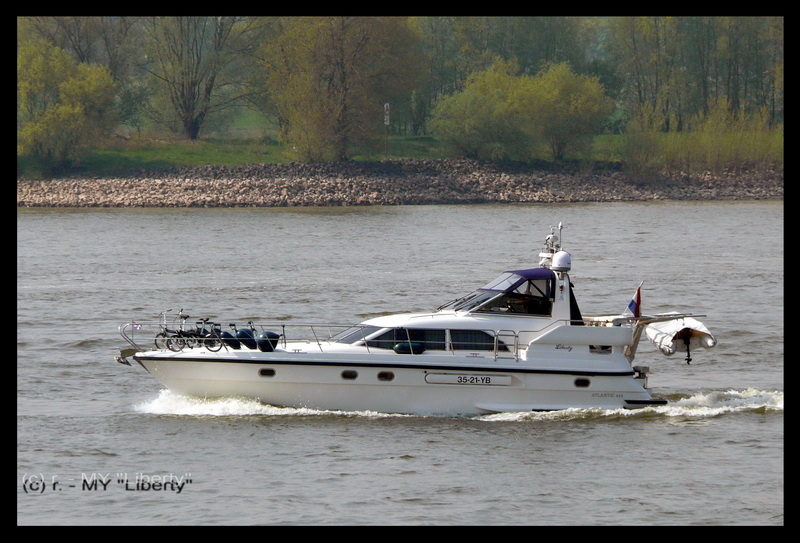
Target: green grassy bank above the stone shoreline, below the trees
x=640, y=153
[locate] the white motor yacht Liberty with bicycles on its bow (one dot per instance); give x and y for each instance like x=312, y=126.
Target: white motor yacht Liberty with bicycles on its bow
x=519, y=343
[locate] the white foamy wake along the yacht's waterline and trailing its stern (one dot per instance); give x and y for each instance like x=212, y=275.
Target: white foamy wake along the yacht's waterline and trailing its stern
x=701, y=405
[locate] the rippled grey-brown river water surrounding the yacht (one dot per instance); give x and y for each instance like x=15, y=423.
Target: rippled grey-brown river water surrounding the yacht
x=99, y=443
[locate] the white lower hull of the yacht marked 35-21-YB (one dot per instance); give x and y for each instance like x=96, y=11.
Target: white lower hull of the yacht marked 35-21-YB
x=403, y=386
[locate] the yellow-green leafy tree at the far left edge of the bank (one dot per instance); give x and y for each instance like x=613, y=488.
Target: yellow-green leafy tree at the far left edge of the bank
x=62, y=107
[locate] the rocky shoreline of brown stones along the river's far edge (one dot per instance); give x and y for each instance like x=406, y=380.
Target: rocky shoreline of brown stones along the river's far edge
x=402, y=182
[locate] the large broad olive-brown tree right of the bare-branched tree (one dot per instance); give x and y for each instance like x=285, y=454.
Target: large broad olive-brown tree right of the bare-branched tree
x=330, y=77
